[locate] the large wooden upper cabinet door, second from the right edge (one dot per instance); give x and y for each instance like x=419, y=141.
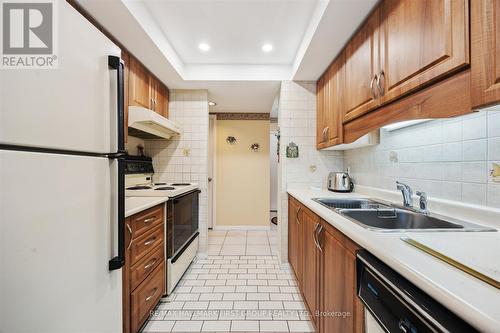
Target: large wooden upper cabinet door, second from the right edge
x=421, y=41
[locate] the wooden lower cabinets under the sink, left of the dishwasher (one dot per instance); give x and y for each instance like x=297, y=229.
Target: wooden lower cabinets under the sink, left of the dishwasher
x=328, y=273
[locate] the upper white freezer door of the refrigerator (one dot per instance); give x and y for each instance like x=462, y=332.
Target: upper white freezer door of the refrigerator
x=72, y=107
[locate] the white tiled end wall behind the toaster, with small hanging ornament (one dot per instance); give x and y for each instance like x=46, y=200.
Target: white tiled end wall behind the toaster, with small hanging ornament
x=297, y=123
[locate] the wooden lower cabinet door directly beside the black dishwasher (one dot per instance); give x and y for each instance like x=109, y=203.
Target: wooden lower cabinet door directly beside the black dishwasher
x=338, y=283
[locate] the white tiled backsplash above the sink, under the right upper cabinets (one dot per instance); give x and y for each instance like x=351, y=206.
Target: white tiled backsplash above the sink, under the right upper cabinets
x=449, y=159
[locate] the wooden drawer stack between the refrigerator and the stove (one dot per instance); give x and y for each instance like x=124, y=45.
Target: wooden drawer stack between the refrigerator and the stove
x=144, y=272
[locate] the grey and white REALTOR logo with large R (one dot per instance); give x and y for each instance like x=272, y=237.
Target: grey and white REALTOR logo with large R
x=28, y=34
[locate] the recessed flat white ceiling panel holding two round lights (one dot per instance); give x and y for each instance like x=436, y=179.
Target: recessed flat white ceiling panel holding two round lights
x=235, y=30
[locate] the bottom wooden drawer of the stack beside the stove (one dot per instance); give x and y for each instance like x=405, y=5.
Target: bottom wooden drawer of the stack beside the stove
x=146, y=296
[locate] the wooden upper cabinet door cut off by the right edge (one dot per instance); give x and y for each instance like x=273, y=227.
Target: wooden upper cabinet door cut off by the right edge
x=485, y=59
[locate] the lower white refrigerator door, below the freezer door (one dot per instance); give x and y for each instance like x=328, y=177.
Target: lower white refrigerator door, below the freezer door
x=57, y=235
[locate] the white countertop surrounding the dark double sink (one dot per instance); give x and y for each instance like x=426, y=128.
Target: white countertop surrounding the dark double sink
x=471, y=299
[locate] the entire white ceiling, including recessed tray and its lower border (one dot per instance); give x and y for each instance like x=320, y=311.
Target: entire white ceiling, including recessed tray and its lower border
x=164, y=35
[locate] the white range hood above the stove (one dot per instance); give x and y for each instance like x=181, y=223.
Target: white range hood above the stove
x=147, y=124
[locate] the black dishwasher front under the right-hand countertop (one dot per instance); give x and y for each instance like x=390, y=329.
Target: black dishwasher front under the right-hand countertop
x=398, y=305
